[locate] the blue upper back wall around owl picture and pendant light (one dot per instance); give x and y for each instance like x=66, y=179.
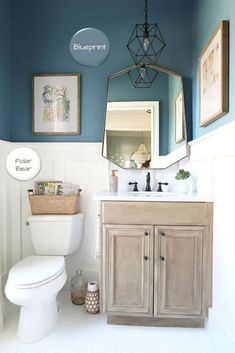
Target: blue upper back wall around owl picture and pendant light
x=40, y=36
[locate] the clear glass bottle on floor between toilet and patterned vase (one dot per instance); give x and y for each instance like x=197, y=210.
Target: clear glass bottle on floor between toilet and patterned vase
x=78, y=288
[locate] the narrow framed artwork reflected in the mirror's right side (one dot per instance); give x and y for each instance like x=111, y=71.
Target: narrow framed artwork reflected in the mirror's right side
x=179, y=118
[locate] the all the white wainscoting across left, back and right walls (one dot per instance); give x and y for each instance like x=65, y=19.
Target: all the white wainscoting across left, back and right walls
x=212, y=163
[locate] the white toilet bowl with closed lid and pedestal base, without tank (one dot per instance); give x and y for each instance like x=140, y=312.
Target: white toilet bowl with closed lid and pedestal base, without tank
x=36, y=294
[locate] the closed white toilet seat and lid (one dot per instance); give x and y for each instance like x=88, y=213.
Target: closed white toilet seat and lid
x=34, y=271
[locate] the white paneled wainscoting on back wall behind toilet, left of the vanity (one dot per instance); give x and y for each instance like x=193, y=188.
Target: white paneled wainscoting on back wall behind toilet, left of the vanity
x=80, y=164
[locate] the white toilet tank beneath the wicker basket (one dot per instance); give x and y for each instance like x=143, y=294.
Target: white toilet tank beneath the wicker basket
x=56, y=234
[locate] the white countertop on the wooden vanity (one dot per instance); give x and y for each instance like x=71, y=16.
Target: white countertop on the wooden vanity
x=150, y=196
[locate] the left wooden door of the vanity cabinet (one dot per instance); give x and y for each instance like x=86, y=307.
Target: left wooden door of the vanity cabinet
x=128, y=269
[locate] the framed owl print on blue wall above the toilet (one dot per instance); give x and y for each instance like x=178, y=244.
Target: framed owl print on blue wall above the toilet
x=56, y=104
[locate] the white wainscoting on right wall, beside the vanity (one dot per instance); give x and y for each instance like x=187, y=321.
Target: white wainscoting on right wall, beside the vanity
x=212, y=162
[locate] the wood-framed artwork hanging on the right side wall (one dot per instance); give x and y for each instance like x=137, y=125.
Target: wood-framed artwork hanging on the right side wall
x=213, y=77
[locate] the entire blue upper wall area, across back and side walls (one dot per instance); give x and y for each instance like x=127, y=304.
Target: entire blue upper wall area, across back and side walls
x=40, y=35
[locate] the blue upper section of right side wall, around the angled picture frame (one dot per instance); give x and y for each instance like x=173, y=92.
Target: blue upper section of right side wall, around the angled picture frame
x=207, y=14
